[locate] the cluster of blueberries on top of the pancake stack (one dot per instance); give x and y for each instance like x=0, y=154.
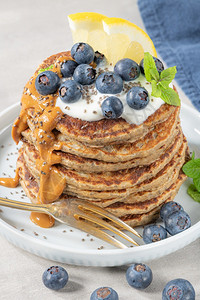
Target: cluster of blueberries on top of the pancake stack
x=83, y=73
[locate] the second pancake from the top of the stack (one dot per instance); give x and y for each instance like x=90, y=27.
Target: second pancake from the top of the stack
x=155, y=141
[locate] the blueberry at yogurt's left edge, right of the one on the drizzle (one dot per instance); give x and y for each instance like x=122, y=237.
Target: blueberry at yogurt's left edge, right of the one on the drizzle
x=70, y=91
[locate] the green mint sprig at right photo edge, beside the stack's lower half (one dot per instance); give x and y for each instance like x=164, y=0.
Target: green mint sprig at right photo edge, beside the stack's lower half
x=192, y=170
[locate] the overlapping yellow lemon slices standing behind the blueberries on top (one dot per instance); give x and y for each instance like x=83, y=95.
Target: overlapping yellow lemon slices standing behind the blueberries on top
x=116, y=38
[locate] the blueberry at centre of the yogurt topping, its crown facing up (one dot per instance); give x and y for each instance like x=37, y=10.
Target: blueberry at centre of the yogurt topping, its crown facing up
x=109, y=83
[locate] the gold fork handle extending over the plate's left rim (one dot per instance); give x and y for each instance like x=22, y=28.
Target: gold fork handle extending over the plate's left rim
x=22, y=205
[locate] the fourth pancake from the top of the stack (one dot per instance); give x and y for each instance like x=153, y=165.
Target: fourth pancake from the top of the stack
x=112, y=180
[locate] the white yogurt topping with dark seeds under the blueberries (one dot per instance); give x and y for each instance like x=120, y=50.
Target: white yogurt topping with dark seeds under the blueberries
x=88, y=107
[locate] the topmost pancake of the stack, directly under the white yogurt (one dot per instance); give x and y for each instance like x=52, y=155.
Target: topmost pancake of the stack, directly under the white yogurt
x=107, y=131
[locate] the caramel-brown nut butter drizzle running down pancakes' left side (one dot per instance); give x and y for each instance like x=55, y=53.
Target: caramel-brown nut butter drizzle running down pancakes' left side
x=40, y=114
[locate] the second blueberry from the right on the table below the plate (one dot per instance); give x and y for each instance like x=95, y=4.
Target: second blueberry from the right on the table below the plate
x=139, y=276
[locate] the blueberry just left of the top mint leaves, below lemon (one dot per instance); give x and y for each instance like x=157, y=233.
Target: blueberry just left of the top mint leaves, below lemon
x=127, y=68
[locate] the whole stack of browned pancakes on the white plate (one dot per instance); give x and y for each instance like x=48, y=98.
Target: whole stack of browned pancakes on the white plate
x=130, y=170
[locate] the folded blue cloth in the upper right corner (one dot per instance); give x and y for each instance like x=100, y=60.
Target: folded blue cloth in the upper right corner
x=174, y=27
